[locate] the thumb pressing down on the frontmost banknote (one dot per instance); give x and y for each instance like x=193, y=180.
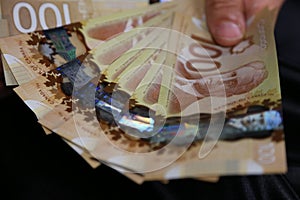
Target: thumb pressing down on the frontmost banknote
x=225, y=20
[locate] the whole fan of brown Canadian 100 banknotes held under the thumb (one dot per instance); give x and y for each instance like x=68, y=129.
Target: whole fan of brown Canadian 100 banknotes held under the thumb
x=149, y=93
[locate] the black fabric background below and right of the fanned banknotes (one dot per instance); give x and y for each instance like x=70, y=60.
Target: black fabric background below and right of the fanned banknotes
x=35, y=166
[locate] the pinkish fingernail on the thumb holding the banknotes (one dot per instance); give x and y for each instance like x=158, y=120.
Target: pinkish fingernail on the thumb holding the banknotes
x=228, y=31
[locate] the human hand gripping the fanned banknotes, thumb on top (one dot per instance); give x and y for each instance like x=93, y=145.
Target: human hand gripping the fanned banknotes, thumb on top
x=226, y=19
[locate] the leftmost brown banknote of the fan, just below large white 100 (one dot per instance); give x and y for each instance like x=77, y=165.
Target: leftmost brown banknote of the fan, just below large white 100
x=33, y=53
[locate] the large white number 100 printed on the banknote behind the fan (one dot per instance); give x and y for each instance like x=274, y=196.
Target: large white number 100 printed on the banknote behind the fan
x=41, y=16
